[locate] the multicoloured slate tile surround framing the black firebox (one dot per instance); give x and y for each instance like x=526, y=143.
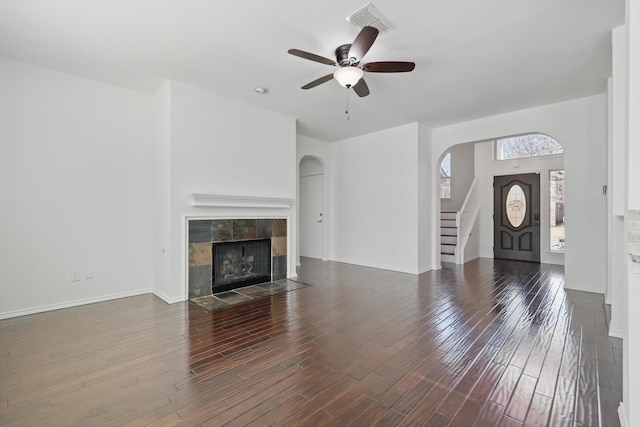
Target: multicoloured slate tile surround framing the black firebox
x=204, y=232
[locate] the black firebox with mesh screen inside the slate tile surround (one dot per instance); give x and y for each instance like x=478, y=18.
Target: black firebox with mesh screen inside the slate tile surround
x=240, y=263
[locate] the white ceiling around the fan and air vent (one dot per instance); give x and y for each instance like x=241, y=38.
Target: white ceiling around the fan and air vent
x=474, y=58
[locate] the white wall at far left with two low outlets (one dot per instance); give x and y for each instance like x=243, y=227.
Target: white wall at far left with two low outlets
x=75, y=189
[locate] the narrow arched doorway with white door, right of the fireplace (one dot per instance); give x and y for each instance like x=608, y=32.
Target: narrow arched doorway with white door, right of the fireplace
x=311, y=207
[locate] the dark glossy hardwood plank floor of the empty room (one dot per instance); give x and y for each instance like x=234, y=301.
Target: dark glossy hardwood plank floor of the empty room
x=492, y=343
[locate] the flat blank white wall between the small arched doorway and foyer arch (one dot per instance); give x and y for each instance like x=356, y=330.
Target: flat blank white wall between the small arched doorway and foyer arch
x=375, y=199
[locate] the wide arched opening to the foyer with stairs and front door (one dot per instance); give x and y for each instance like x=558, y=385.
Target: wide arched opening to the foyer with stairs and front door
x=531, y=153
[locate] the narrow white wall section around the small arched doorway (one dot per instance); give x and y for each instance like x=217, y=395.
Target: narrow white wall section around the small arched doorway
x=320, y=150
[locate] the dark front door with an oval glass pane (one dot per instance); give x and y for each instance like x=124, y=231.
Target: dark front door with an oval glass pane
x=516, y=217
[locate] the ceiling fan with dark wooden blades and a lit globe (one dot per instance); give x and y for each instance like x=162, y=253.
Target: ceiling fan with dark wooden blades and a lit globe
x=348, y=57
